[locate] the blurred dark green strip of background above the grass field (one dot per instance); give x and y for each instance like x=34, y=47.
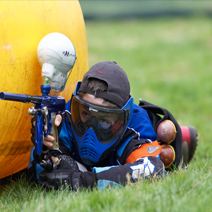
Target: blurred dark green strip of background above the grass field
x=123, y=9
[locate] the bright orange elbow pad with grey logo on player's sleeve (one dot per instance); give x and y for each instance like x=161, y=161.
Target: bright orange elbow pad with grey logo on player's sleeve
x=145, y=151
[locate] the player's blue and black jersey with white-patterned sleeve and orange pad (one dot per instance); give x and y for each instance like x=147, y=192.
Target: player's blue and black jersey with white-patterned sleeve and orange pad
x=122, y=160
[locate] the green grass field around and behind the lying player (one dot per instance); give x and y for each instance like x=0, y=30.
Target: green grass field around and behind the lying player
x=169, y=63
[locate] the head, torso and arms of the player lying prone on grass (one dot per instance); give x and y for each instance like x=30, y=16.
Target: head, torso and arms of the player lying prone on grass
x=105, y=139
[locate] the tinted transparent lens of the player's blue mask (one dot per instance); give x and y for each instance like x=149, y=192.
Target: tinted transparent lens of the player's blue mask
x=107, y=123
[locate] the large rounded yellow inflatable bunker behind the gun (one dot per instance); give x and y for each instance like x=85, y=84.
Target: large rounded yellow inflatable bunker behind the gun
x=23, y=24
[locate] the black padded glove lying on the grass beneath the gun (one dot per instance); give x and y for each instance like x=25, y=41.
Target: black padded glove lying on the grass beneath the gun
x=68, y=175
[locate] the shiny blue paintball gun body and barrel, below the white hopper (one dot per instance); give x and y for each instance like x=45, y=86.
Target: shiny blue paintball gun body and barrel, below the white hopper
x=45, y=110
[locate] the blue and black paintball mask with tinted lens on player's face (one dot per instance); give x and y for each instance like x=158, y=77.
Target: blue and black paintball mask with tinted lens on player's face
x=97, y=130
